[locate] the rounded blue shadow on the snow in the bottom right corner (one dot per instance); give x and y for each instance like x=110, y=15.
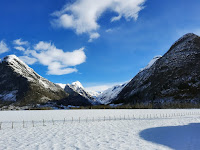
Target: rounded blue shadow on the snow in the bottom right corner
x=185, y=137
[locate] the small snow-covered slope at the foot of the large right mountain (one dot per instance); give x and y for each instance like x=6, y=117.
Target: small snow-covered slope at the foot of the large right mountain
x=110, y=94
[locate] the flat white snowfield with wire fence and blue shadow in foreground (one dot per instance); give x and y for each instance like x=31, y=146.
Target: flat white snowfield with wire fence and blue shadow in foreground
x=100, y=129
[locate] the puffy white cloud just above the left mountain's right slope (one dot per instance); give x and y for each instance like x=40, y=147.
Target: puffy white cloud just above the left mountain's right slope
x=58, y=61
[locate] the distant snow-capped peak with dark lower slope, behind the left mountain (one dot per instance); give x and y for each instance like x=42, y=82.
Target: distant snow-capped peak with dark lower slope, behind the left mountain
x=78, y=96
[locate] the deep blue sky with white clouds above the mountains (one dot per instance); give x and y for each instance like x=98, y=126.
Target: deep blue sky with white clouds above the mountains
x=106, y=45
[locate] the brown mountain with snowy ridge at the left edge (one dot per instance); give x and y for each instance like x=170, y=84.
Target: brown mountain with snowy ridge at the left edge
x=21, y=85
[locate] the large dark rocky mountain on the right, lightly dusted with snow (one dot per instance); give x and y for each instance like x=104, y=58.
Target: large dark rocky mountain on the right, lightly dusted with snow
x=175, y=77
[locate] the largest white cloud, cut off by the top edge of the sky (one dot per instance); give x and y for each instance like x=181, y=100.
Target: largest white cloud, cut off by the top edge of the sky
x=82, y=15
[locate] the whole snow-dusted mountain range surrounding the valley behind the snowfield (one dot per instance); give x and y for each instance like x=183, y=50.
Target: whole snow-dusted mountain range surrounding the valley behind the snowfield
x=171, y=78
